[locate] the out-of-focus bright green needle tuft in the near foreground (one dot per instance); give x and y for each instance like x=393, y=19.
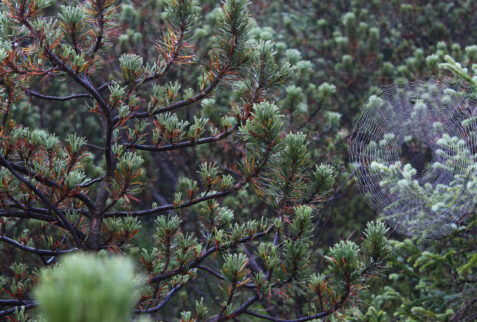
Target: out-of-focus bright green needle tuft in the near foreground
x=83, y=285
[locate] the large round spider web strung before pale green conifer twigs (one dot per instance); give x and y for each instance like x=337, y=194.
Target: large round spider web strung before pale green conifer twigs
x=414, y=149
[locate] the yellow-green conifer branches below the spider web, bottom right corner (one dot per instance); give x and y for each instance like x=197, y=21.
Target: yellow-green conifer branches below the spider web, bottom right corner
x=430, y=281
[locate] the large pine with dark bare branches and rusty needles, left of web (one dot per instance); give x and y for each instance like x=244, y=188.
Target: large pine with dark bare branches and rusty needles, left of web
x=64, y=191
